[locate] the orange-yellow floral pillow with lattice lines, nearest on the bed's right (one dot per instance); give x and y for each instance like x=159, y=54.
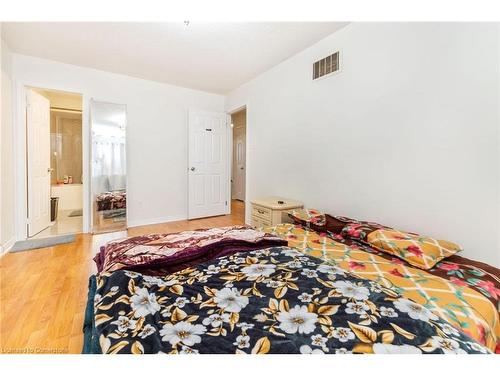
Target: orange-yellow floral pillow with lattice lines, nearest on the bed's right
x=419, y=251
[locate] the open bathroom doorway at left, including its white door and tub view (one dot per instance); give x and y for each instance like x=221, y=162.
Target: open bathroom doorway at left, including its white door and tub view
x=54, y=163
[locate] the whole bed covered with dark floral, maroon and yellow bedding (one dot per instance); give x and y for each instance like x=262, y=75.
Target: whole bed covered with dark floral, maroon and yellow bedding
x=285, y=289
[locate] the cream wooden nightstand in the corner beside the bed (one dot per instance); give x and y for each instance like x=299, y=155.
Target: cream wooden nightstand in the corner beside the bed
x=269, y=211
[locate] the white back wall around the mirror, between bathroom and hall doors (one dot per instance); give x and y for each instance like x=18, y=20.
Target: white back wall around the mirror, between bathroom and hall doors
x=156, y=130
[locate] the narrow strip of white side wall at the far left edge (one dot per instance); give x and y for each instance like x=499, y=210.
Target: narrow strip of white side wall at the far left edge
x=6, y=152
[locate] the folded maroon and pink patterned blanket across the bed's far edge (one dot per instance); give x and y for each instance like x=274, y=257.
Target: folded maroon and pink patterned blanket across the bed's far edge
x=166, y=253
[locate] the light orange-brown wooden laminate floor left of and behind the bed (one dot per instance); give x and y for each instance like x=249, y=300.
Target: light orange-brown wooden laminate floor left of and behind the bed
x=43, y=292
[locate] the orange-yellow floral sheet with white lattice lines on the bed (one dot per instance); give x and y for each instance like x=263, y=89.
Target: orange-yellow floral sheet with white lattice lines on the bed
x=458, y=303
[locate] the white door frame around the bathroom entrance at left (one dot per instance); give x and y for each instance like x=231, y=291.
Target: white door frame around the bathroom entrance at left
x=20, y=153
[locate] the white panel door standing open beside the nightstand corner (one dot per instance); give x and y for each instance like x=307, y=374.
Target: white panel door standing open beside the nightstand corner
x=208, y=164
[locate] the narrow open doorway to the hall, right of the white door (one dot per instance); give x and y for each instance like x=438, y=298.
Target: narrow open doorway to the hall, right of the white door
x=238, y=172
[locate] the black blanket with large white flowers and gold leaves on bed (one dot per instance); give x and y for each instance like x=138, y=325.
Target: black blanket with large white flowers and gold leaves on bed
x=274, y=300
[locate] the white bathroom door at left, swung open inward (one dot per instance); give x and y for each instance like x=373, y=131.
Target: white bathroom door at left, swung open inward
x=38, y=150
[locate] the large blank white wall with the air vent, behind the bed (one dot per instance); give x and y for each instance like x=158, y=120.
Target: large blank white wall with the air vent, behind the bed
x=406, y=134
